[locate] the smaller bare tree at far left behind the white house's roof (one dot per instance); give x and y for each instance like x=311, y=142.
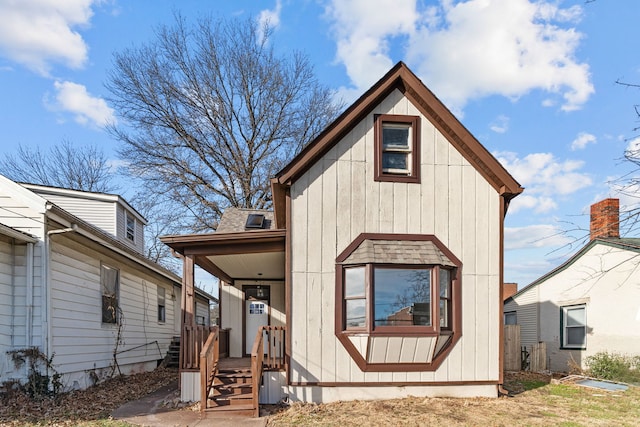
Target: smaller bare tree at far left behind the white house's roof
x=83, y=168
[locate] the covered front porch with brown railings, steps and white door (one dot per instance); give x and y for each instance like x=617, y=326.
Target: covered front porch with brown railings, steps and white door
x=242, y=362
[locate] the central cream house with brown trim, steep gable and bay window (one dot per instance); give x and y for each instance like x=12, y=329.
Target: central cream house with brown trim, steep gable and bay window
x=381, y=264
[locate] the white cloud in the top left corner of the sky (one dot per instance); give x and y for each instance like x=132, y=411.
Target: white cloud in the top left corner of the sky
x=37, y=33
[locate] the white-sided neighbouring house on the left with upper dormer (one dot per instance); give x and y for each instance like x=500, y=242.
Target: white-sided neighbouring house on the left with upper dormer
x=75, y=285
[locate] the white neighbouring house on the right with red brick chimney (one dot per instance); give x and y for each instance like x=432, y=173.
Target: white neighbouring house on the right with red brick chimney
x=590, y=303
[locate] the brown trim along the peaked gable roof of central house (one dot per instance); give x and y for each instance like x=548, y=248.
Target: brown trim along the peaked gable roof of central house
x=403, y=79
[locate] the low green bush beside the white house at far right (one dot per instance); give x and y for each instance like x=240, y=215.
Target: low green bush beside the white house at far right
x=614, y=367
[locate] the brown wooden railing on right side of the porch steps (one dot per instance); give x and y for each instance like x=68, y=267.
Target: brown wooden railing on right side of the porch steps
x=270, y=357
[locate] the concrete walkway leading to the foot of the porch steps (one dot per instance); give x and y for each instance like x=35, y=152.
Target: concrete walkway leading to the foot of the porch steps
x=152, y=411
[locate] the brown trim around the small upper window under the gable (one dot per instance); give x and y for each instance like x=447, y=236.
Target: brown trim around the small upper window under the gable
x=414, y=123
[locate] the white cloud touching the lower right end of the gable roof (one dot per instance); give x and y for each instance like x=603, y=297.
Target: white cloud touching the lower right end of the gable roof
x=544, y=178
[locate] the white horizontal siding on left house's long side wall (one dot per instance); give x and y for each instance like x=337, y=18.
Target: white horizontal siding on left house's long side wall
x=80, y=341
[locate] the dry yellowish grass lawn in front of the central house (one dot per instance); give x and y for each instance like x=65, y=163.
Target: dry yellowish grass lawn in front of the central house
x=542, y=405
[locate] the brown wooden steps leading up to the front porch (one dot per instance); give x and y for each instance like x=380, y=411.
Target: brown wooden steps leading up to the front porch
x=232, y=392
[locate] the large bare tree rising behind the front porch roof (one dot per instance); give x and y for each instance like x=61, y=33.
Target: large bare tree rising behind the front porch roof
x=211, y=112
